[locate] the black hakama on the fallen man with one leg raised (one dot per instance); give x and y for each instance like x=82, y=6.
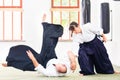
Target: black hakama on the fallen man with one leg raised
x=18, y=57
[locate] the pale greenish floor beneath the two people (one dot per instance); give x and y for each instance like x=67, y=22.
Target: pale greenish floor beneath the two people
x=10, y=73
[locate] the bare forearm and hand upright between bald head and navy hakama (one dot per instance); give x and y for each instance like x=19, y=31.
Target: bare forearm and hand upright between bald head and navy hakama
x=72, y=60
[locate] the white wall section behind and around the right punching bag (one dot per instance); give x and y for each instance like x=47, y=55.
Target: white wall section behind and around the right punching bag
x=113, y=46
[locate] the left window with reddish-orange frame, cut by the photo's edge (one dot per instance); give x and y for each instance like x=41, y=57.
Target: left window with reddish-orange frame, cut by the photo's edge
x=10, y=20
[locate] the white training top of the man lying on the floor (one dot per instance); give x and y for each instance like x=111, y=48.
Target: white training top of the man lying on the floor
x=50, y=69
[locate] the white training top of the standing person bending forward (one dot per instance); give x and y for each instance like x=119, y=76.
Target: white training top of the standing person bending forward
x=89, y=32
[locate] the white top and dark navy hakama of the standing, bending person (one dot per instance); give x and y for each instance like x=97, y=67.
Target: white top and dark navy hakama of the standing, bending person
x=92, y=52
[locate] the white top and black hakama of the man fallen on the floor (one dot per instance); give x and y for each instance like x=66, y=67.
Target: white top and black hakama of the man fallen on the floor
x=19, y=59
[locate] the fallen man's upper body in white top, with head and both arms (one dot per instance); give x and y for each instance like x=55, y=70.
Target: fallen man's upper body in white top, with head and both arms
x=55, y=67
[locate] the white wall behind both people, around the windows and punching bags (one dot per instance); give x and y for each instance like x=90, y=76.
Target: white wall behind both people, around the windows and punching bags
x=32, y=29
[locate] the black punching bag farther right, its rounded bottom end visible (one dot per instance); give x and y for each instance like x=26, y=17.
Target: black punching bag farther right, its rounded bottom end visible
x=105, y=17
